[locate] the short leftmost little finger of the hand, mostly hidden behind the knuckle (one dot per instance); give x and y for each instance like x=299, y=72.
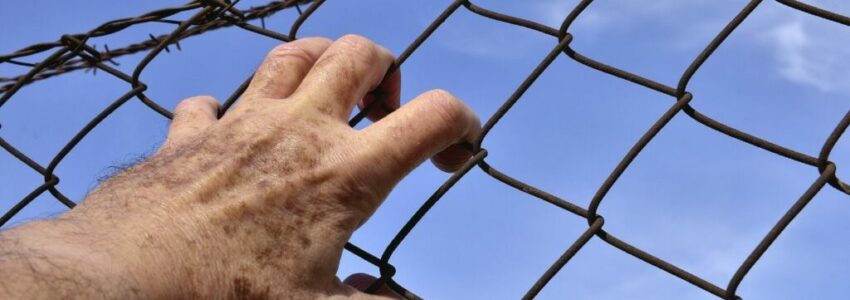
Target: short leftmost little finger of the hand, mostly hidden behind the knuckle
x=192, y=116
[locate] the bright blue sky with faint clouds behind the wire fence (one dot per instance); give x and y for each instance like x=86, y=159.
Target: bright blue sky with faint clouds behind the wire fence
x=694, y=197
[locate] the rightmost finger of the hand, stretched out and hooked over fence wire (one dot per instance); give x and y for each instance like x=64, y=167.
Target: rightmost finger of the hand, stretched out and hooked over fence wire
x=429, y=124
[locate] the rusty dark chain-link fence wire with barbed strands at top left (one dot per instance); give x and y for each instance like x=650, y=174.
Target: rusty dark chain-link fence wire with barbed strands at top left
x=72, y=52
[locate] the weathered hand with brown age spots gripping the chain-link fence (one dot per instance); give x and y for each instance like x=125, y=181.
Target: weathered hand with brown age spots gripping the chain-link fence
x=260, y=203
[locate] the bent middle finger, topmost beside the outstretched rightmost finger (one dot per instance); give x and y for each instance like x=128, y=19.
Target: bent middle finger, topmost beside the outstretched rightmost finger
x=351, y=67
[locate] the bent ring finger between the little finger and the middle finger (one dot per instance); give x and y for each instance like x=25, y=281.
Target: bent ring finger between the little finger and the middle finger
x=285, y=67
